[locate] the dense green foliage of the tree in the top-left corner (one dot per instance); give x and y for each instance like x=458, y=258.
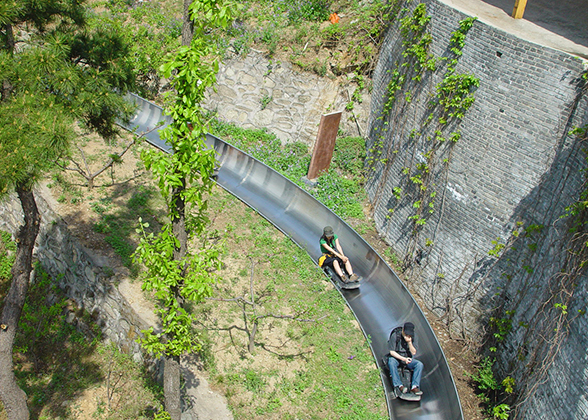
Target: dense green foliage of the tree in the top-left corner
x=48, y=88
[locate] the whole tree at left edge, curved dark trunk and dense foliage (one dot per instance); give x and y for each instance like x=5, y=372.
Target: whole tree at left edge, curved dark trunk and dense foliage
x=54, y=72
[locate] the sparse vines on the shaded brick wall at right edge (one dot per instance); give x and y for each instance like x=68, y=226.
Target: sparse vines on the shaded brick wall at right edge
x=544, y=329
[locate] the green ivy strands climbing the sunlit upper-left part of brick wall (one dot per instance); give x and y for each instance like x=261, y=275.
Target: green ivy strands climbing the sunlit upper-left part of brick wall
x=454, y=95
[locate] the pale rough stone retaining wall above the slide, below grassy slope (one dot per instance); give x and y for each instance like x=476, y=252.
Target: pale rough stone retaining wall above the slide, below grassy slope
x=298, y=99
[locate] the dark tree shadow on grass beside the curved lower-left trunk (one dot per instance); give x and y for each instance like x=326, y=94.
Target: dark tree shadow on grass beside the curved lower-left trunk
x=53, y=357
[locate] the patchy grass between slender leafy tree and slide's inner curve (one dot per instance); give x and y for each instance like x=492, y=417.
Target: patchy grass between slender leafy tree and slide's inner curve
x=319, y=368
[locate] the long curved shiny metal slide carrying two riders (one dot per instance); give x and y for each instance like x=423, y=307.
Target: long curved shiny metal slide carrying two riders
x=381, y=303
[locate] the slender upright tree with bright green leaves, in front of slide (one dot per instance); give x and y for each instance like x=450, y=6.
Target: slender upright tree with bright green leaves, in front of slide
x=184, y=178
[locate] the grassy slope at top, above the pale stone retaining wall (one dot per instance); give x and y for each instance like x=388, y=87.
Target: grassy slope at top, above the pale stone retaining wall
x=296, y=29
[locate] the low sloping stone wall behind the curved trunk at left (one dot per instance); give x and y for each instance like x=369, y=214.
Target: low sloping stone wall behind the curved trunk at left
x=86, y=278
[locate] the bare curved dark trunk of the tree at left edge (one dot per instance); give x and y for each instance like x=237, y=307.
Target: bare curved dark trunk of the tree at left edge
x=14, y=398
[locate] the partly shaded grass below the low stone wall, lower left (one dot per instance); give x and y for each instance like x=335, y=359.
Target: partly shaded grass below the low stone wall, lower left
x=56, y=361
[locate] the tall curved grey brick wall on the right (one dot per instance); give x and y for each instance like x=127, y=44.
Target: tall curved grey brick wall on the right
x=515, y=166
